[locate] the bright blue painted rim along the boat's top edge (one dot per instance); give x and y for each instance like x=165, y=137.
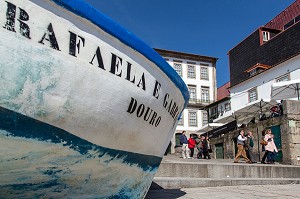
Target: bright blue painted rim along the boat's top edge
x=88, y=12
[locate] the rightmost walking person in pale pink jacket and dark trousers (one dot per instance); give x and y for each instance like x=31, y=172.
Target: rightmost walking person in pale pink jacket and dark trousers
x=270, y=148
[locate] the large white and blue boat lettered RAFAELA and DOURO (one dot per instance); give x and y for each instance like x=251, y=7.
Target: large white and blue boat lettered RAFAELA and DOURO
x=82, y=109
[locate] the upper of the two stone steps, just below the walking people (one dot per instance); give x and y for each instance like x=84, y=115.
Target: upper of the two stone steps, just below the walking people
x=226, y=170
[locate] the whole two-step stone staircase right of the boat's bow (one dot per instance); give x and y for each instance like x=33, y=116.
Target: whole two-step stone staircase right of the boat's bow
x=175, y=173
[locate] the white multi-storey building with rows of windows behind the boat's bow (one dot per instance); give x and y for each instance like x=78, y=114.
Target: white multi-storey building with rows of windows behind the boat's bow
x=199, y=74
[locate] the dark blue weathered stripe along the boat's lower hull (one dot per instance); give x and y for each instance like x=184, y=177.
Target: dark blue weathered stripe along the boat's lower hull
x=19, y=125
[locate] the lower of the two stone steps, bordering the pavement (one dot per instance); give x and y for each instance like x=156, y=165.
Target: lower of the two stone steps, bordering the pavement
x=187, y=182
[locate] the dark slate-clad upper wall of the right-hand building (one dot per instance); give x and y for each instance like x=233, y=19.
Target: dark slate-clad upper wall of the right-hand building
x=249, y=52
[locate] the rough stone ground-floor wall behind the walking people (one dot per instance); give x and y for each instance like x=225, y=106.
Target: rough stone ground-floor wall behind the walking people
x=290, y=135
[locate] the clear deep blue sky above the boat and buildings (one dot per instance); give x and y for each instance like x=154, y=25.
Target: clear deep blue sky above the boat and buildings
x=204, y=27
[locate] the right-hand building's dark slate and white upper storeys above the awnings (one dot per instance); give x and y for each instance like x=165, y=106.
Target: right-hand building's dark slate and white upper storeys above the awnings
x=268, y=55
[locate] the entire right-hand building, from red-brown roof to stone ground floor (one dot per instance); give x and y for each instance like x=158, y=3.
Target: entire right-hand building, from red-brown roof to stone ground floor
x=263, y=66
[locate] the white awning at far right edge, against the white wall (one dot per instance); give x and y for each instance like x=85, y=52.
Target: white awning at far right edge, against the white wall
x=286, y=90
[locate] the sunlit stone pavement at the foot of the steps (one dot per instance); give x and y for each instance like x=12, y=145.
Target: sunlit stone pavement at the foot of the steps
x=290, y=191
